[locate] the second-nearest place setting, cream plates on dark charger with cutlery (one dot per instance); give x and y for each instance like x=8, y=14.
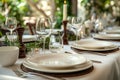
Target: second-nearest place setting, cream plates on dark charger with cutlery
x=94, y=47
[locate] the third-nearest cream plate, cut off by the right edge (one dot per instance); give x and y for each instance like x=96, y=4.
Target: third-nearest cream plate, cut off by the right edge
x=107, y=36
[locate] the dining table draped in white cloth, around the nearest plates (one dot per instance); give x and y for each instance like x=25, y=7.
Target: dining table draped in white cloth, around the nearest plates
x=104, y=67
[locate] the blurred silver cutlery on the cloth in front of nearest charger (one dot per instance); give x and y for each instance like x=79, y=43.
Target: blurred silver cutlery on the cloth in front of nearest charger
x=23, y=74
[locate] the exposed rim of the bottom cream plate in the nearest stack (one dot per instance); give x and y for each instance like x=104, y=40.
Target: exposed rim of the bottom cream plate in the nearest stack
x=84, y=66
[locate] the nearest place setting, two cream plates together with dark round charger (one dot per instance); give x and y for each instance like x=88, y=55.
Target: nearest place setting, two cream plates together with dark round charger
x=57, y=64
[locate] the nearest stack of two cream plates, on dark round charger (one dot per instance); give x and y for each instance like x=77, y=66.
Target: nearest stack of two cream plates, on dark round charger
x=57, y=63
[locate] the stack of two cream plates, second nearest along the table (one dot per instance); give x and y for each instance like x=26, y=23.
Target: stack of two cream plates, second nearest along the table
x=94, y=45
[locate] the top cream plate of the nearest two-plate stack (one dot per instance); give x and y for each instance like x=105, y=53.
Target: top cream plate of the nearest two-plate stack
x=56, y=60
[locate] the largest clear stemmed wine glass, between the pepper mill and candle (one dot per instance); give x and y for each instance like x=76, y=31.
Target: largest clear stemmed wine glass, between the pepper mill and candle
x=43, y=29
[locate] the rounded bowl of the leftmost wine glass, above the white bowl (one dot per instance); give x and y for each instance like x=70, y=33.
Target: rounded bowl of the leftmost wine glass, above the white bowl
x=10, y=24
